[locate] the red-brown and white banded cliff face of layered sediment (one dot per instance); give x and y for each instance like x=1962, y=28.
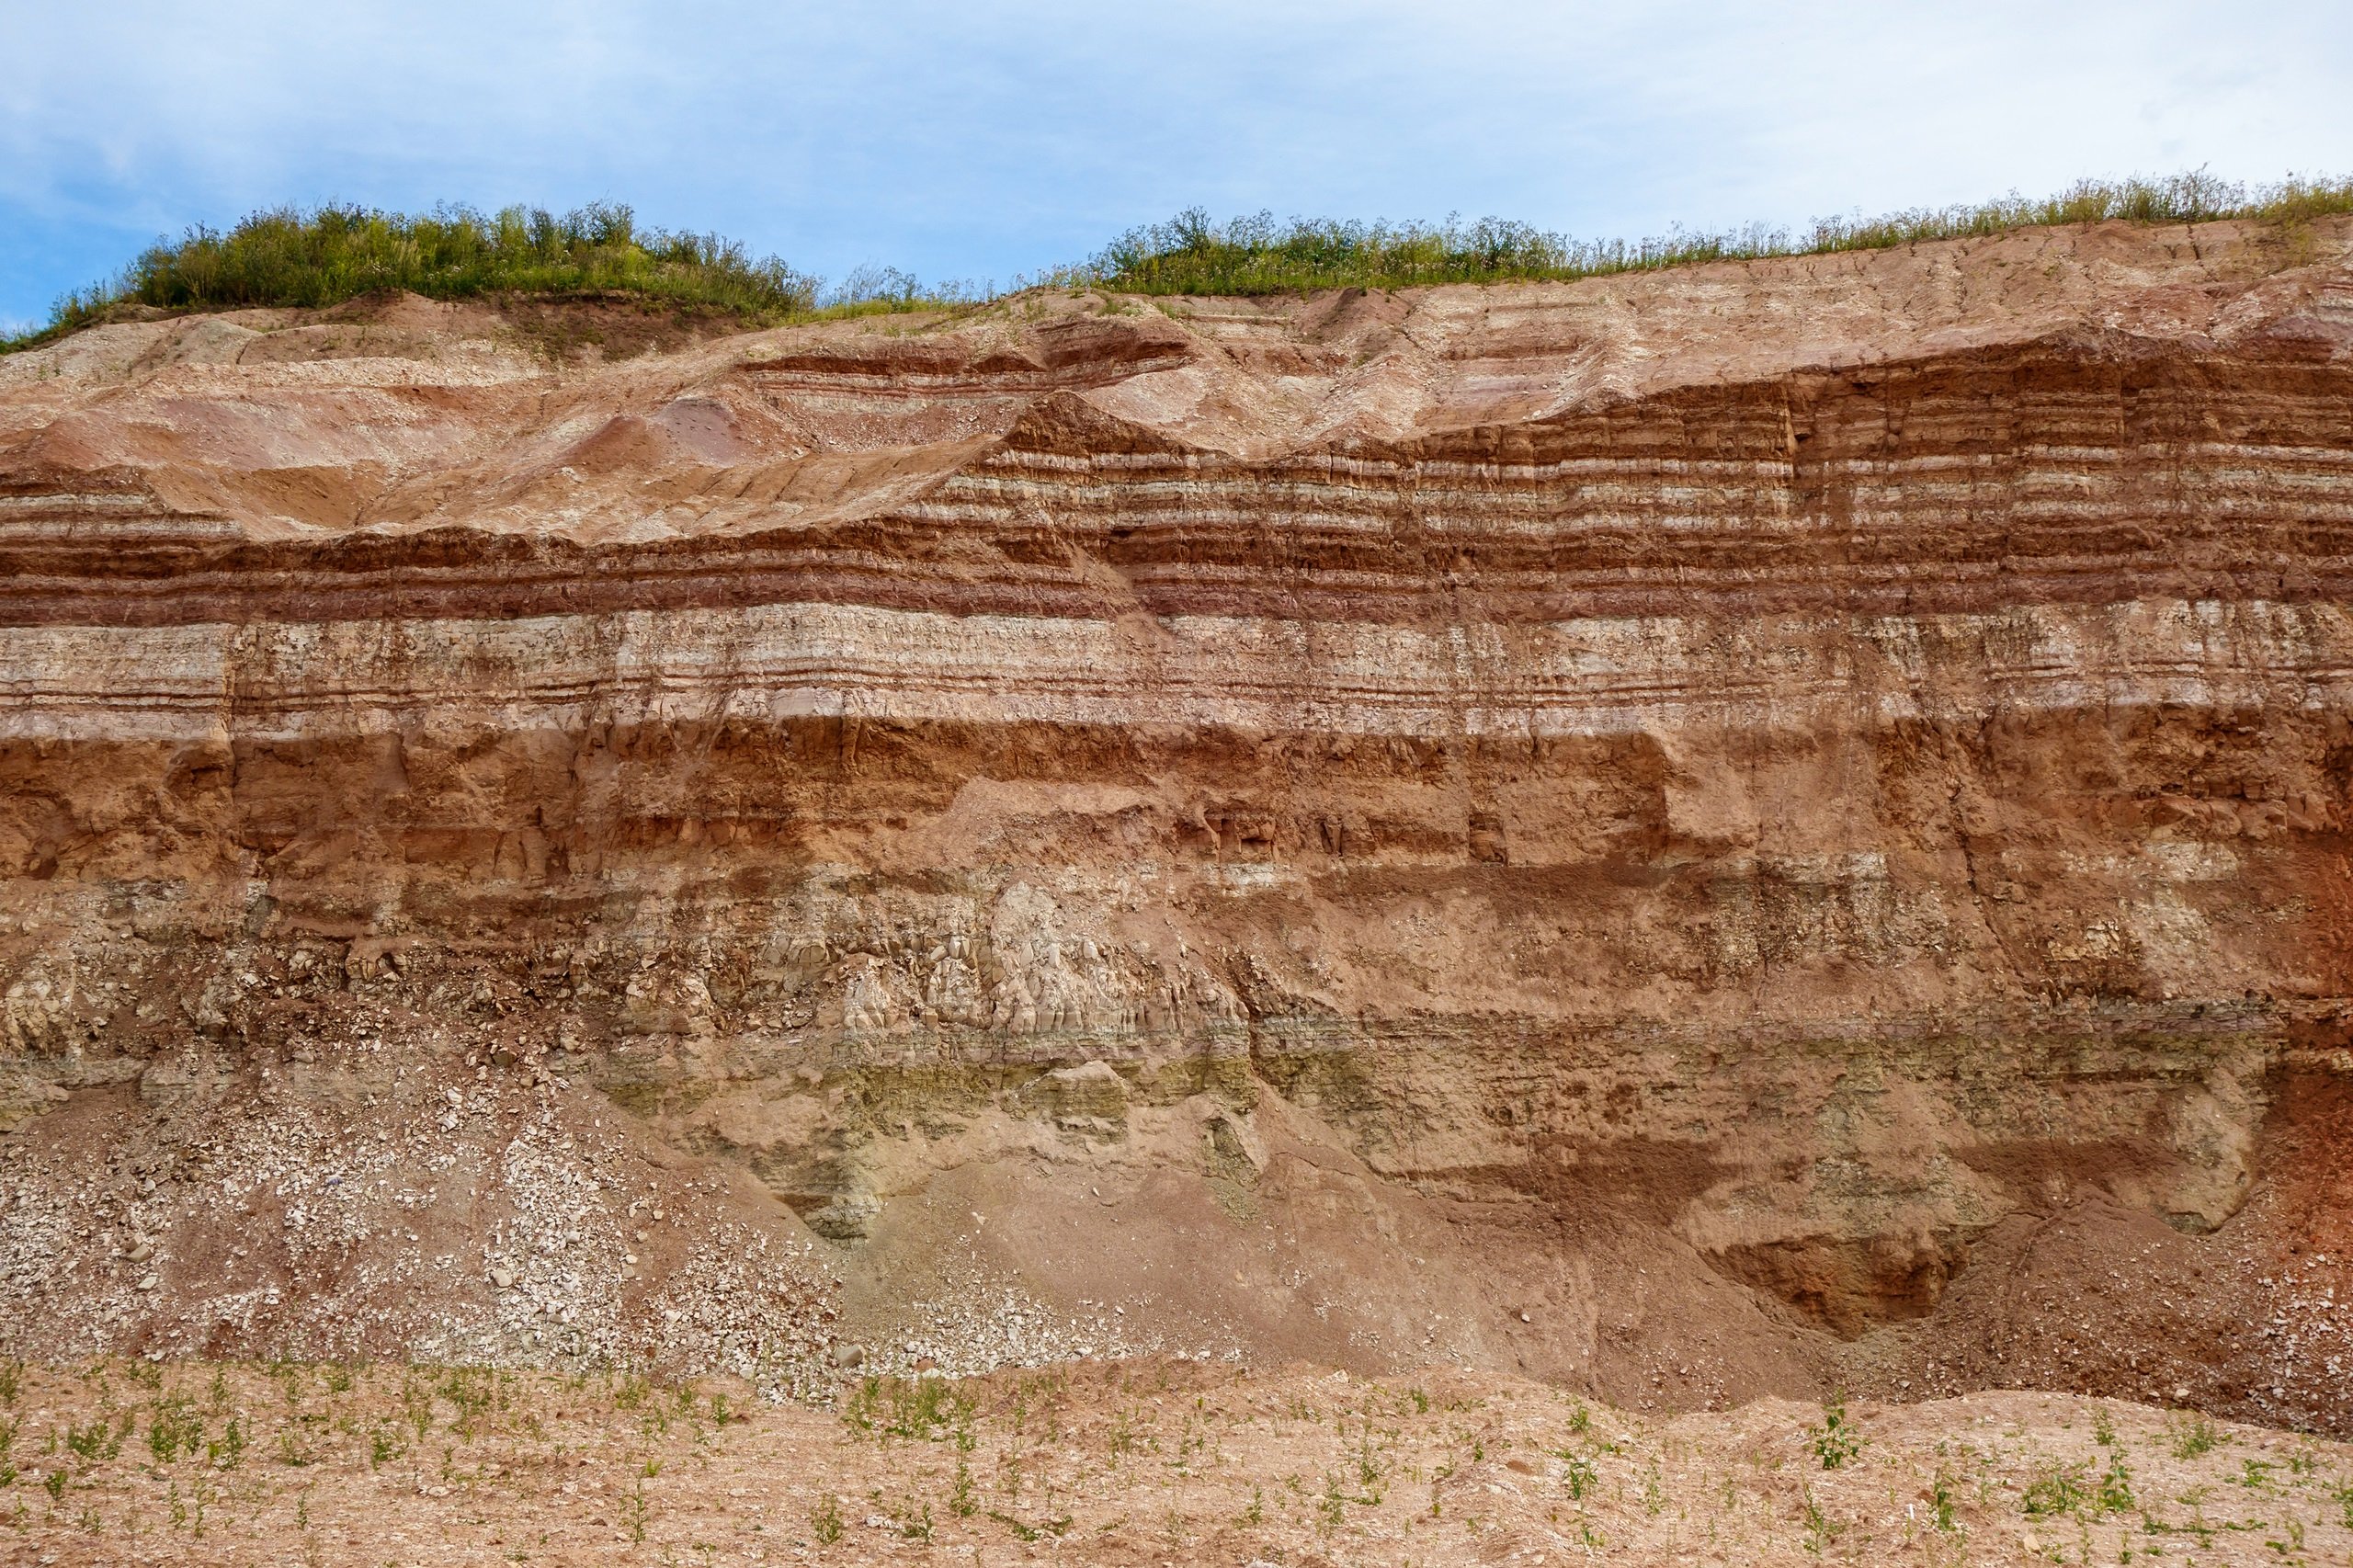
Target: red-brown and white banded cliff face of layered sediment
x=1686, y=832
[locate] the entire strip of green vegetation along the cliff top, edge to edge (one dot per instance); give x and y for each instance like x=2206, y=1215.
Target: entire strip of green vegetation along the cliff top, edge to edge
x=328, y=255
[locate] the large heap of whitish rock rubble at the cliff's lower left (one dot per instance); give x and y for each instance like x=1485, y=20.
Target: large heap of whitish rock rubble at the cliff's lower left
x=267, y=1221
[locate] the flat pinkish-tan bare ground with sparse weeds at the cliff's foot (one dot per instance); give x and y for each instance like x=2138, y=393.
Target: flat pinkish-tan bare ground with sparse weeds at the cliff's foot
x=1119, y=1463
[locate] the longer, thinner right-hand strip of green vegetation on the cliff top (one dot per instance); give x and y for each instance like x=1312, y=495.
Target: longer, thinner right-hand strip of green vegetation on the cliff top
x=1258, y=255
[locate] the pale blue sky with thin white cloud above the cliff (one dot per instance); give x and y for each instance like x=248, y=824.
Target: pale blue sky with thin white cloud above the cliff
x=989, y=140
